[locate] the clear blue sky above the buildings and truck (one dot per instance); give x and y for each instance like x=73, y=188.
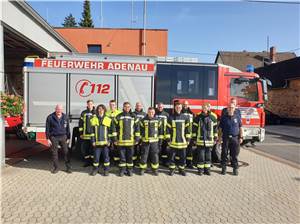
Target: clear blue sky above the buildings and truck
x=197, y=28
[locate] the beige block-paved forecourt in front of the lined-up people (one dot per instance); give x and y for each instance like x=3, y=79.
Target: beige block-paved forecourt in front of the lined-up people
x=266, y=191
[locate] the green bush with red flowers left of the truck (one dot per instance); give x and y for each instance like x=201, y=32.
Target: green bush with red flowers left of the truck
x=11, y=105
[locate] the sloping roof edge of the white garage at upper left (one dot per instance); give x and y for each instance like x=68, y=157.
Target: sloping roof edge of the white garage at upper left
x=48, y=28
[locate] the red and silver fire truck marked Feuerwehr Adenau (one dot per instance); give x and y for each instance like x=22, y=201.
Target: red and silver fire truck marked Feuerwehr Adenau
x=71, y=79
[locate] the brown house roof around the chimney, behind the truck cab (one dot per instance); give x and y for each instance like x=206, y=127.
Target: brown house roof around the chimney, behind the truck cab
x=240, y=60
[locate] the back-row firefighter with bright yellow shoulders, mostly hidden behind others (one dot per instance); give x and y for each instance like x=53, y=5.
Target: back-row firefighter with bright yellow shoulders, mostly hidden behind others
x=112, y=113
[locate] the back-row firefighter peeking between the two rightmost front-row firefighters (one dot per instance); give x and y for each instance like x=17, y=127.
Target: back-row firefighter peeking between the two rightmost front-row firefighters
x=189, y=151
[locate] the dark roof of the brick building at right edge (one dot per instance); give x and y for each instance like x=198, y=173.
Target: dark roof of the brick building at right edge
x=280, y=72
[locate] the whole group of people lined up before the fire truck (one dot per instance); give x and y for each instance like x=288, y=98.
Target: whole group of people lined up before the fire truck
x=132, y=139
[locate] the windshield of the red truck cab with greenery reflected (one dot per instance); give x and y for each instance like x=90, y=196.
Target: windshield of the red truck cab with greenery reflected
x=244, y=89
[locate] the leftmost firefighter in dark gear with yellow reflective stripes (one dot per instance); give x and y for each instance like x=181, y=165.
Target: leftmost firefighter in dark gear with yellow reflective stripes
x=86, y=132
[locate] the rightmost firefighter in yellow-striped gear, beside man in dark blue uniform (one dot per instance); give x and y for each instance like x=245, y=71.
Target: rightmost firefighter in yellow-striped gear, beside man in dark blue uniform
x=204, y=134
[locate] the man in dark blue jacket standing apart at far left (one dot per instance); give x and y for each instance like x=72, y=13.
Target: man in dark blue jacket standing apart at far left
x=58, y=133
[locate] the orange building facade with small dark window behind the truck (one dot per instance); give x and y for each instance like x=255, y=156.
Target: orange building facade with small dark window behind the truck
x=149, y=42
